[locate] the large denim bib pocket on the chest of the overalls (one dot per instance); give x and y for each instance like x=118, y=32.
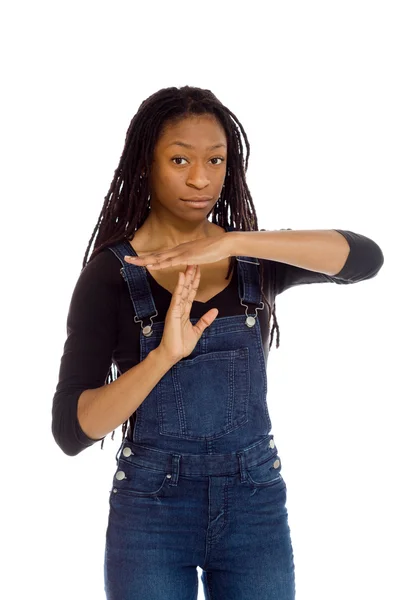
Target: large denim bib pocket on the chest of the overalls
x=205, y=397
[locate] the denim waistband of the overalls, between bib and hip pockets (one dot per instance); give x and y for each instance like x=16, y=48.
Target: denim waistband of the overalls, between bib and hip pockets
x=198, y=464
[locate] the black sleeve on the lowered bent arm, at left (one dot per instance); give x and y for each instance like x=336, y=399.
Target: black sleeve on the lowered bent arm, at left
x=91, y=337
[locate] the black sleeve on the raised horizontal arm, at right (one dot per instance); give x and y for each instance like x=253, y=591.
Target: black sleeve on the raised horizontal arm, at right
x=364, y=260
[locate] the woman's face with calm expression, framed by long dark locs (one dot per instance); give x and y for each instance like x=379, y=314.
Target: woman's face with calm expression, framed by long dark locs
x=189, y=162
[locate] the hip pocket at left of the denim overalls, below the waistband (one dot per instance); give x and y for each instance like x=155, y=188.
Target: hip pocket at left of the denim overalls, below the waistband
x=135, y=480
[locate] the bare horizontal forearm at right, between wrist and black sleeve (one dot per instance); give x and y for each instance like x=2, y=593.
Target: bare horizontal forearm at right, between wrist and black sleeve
x=324, y=251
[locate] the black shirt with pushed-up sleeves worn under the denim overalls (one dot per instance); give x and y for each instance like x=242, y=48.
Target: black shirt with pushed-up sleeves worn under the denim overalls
x=101, y=328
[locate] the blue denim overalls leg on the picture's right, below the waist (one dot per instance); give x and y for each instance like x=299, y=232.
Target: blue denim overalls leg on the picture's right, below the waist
x=253, y=557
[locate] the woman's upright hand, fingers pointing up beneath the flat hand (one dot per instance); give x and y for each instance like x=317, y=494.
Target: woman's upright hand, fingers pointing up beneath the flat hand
x=180, y=336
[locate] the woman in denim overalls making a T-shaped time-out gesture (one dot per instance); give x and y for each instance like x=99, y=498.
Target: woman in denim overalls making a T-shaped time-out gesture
x=184, y=323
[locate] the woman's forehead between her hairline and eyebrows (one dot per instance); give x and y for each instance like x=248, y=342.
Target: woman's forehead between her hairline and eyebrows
x=199, y=131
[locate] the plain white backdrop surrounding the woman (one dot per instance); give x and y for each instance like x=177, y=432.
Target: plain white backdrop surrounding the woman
x=316, y=87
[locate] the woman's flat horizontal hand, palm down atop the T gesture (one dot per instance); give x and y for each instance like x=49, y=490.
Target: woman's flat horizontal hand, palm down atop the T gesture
x=199, y=252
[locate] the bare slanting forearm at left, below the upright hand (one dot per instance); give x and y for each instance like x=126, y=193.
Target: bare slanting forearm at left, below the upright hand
x=103, y=409
